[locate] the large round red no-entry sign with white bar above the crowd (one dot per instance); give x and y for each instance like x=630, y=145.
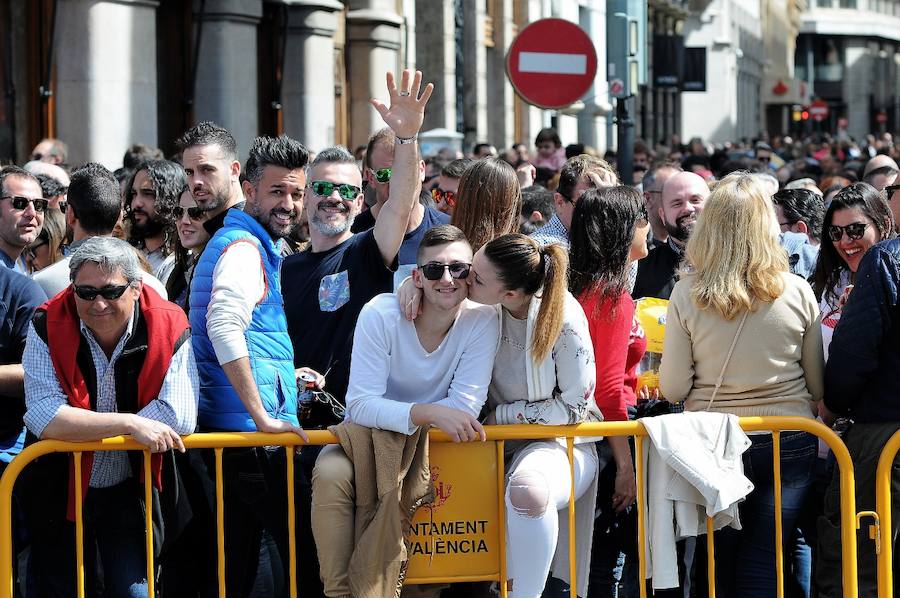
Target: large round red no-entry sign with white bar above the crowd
x=551, y=63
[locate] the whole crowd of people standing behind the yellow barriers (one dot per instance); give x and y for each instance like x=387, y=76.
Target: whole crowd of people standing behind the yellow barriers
x=379, y=293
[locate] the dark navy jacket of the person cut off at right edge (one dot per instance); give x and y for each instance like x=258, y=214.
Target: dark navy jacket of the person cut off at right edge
x=862, y=377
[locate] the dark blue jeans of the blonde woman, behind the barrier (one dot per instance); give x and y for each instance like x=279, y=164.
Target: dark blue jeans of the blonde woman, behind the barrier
x=745, y=559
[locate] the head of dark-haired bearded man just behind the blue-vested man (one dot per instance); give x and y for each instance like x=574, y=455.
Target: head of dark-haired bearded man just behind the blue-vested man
x=209, y=156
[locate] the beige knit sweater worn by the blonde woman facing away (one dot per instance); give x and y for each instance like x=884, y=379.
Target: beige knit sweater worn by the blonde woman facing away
x=777, y=367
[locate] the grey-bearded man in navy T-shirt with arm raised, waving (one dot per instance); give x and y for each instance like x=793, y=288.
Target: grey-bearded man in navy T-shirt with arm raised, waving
x=326, y=287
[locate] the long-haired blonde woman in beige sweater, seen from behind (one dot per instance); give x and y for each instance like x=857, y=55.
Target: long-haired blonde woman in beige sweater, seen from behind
x=736, y=290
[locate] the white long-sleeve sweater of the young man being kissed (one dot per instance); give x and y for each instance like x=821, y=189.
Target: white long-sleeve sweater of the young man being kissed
x=390, y=370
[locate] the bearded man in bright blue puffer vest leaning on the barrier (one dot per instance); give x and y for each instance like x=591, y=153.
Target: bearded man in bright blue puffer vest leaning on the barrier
x=245, y=359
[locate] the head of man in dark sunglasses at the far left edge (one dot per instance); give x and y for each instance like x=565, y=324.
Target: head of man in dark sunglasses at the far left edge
x=22, y=206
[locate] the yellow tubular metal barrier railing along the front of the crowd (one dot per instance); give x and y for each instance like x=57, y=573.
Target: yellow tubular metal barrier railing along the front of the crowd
x=219, y=441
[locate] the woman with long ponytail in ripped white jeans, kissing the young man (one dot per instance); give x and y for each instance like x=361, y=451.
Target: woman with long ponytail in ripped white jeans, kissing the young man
x=543, y=374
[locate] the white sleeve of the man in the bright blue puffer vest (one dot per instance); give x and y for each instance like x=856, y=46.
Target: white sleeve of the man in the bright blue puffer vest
x=238, y=285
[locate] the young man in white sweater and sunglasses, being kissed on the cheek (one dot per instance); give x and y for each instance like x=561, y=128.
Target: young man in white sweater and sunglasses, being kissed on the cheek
x=432, y=371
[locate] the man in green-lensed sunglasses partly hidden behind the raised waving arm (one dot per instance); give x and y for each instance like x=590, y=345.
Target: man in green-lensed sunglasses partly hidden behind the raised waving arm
x=379, y=164
